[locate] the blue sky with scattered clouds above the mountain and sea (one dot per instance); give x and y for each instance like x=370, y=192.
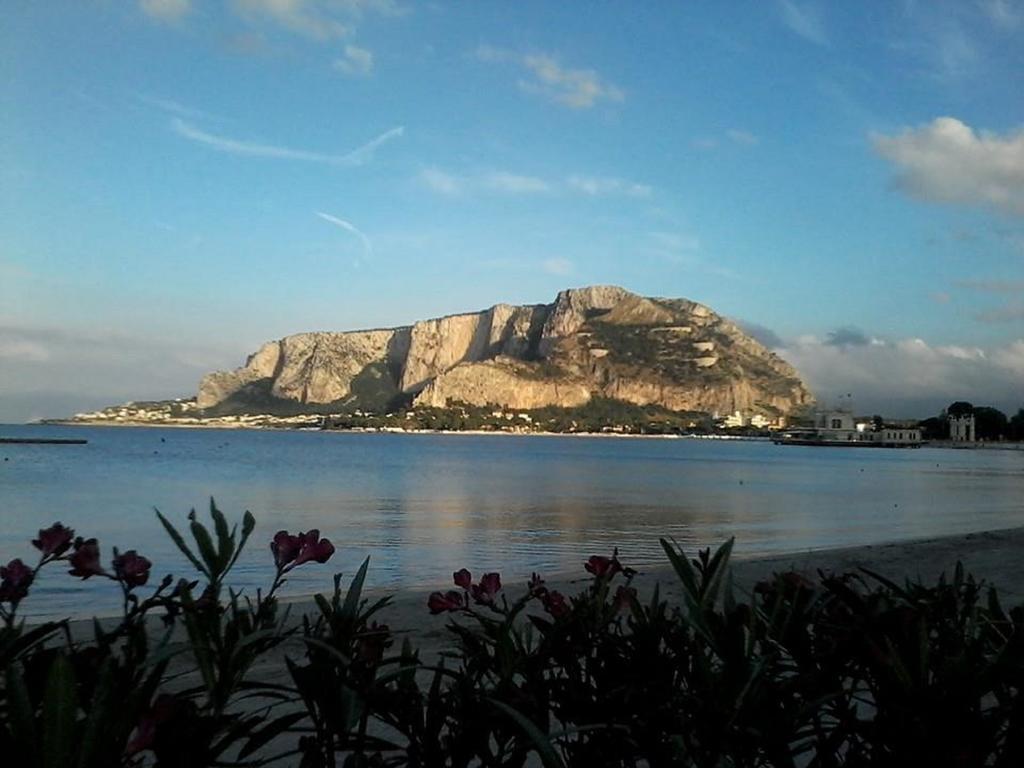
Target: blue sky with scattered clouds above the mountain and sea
x=183, y=181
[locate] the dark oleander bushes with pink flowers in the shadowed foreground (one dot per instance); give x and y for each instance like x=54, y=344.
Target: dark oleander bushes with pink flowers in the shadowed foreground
x=848, y=670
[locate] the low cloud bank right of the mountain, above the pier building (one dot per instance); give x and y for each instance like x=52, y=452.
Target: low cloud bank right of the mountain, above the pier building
x=909, y=377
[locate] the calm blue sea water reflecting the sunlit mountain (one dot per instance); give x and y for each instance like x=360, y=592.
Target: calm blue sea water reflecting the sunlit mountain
x=425, y=505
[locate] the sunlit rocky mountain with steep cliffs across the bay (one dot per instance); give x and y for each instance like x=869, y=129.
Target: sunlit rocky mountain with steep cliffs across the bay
x=595, y=342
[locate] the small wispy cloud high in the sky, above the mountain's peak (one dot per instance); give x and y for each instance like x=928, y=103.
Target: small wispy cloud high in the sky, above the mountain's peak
x=579, y=90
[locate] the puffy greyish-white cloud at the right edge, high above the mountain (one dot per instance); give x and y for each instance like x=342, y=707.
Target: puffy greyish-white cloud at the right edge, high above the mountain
x=948, y=162
